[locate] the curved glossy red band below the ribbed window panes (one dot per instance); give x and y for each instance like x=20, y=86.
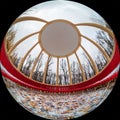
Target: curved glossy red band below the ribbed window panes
x=17, y=77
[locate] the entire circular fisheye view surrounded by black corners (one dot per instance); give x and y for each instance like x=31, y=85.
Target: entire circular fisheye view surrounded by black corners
x=59, y=60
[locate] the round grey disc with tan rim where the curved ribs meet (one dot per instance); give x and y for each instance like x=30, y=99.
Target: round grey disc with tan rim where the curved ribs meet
x=59, y=38
